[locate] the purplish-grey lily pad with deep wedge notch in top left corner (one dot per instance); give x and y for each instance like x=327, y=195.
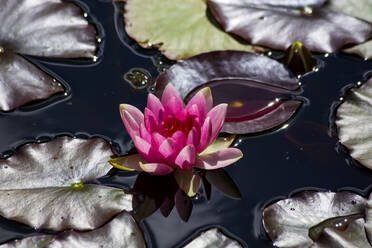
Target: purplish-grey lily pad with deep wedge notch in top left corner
x=49, y=28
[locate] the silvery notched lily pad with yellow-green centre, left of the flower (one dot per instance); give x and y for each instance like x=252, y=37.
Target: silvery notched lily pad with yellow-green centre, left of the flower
x=42, y=185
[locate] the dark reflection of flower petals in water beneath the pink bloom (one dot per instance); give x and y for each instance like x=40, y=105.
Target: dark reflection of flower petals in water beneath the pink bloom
x=152, y=193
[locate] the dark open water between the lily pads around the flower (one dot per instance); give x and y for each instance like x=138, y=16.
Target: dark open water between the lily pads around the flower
x=302, y=156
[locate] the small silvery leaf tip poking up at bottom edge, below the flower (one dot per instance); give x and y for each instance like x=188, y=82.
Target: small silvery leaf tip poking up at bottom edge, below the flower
x=213, y=238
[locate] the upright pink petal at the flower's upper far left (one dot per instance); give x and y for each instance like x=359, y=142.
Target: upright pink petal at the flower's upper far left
x=132, y=119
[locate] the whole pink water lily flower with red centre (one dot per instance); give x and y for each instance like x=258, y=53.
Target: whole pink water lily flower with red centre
x=172, y=137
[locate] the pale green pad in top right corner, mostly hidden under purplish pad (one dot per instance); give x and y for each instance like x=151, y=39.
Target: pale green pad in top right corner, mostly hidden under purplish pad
x=358, y=8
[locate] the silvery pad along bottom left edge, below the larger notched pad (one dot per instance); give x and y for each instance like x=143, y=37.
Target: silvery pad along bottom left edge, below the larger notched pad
x=122, y=231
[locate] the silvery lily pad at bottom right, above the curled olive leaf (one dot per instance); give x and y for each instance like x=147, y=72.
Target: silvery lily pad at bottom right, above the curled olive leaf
x=289, y=221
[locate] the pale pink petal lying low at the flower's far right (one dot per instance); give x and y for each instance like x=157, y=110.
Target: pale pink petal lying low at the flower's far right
x=218, y=159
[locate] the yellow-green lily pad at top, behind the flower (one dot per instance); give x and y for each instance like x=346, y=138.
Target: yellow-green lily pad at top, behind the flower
x=180, y=29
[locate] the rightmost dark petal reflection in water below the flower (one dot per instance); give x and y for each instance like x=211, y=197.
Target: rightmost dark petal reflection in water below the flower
x=223, y=182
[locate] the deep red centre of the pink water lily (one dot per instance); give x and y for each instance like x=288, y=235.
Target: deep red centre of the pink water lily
x=172, y=125
